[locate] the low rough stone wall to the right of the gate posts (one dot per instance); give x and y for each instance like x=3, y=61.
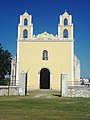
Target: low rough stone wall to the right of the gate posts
x=79, y=91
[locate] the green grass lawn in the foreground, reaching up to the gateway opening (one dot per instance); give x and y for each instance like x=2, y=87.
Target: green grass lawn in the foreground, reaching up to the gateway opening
x=43, y=108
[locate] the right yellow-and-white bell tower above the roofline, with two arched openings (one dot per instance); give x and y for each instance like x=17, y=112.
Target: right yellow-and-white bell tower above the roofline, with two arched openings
x=65, y=27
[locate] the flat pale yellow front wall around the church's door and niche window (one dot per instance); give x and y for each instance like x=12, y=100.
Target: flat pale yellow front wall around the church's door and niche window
x=59, y=61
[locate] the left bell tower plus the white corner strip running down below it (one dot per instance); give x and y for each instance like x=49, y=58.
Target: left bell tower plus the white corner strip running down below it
x=25, y=32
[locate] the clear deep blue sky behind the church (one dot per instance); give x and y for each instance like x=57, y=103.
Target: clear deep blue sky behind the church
x=45, y=15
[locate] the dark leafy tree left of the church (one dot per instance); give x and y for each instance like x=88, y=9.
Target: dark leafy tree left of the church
x=5, y=63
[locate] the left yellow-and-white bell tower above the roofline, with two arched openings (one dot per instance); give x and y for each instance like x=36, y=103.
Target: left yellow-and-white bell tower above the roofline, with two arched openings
x=25, y=27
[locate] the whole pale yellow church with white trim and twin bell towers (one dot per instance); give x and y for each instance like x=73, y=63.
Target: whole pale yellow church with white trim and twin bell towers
x=45, y=57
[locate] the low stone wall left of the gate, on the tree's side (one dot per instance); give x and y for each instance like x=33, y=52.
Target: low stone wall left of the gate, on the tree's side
x=9, y=90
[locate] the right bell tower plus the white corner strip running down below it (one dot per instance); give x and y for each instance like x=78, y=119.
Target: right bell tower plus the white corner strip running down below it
x=65, y=33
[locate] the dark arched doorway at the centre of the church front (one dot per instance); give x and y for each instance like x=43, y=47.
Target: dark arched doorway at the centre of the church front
x=44, y=79
